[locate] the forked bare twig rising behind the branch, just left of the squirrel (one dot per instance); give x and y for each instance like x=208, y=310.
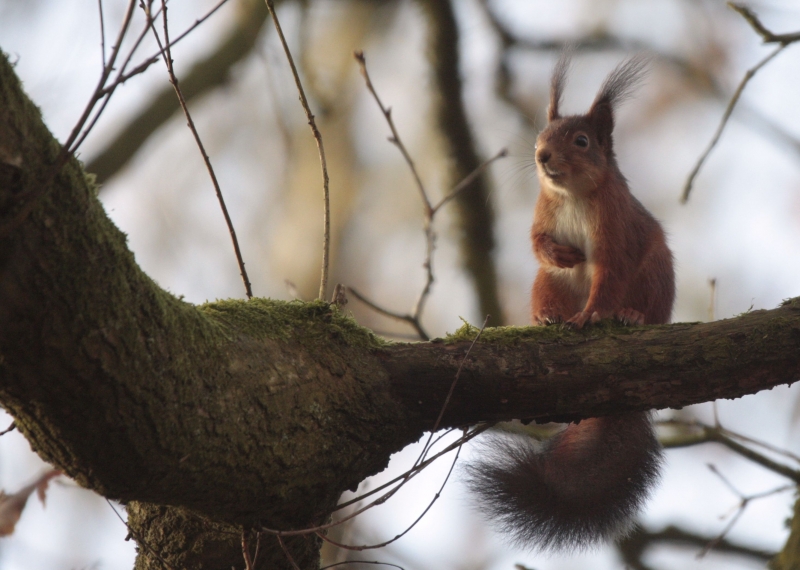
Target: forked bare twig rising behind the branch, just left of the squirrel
x=414, y=317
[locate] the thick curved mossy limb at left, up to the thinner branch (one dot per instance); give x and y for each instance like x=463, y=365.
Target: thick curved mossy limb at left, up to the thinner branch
x=243, y=412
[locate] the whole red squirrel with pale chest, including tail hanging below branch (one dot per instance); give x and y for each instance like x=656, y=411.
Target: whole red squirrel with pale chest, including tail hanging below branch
x=601, y=255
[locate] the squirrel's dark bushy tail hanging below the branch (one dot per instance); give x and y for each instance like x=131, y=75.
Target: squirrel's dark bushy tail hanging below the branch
x=583, y=487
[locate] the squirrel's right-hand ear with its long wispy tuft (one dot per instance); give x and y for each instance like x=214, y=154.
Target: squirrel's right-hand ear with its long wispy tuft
x=618, y=86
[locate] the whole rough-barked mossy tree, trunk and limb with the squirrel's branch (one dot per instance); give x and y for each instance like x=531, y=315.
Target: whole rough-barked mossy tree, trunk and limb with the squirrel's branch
x=206, y=420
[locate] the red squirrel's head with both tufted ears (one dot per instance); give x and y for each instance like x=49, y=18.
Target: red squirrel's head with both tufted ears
x=575, y=154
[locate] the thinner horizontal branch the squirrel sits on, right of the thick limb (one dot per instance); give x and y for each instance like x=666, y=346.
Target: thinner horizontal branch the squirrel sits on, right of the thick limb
x=549, y=374
